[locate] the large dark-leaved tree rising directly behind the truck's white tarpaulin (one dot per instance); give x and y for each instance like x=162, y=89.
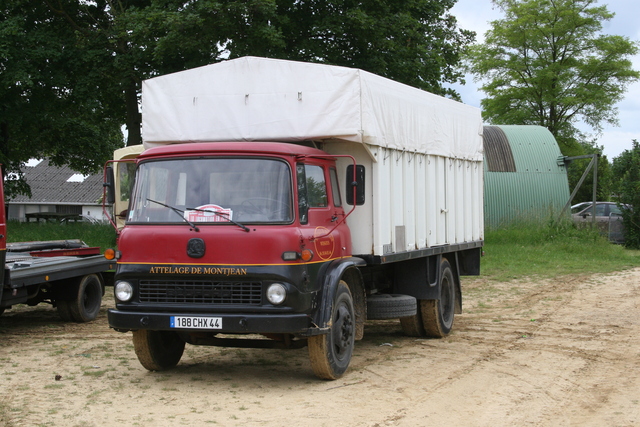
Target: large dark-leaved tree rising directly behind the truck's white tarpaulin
x=416, y=42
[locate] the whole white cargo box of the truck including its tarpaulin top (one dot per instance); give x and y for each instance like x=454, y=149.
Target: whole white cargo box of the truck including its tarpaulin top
x=422, y=153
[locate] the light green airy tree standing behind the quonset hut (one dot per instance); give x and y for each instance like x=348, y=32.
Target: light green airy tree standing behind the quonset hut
x=547, y=63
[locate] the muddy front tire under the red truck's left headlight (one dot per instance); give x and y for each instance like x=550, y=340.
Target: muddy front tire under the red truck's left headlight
x=158, y=350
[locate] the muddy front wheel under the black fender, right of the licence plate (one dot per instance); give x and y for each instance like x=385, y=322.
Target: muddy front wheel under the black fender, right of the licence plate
x=330, y=354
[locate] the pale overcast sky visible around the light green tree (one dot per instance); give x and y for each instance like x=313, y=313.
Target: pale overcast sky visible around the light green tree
x=475, y=15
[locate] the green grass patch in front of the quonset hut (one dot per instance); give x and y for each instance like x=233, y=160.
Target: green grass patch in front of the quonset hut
x=535, y=250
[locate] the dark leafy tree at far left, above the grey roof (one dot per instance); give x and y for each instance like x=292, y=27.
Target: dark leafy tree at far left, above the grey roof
x=49, y=105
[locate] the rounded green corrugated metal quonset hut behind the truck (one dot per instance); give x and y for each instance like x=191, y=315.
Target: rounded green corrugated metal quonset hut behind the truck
x=525, y=177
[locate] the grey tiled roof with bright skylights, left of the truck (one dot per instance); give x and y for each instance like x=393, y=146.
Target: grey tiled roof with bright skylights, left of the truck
x=55, y=185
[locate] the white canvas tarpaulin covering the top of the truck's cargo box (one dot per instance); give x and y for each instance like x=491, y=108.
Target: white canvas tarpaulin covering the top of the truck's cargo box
x=258, y=99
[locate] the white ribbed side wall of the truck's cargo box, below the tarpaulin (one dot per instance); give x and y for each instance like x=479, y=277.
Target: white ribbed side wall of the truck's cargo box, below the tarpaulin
x=413, y=201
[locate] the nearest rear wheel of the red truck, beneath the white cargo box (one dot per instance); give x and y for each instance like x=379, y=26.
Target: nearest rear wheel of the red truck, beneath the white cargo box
x=437, y=315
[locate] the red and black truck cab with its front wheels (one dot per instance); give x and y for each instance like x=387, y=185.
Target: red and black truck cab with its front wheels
x=234, y=238
